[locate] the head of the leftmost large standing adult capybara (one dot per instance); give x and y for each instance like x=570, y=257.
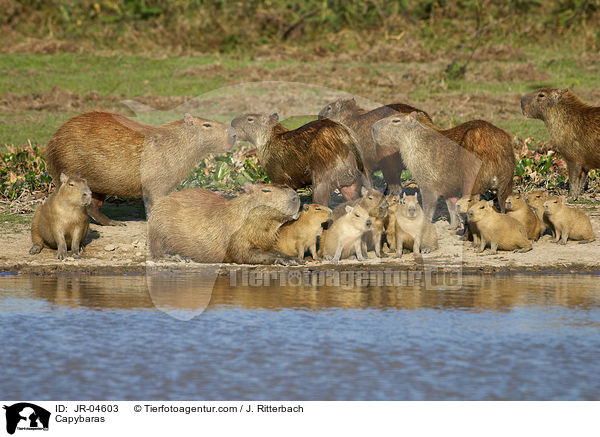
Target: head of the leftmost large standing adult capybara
x=214, y=136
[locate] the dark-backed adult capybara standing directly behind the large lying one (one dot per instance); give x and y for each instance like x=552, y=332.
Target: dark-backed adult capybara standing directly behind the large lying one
x=322, y=153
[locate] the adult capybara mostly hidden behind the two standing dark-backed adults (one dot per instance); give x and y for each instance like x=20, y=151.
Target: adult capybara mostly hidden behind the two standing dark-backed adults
x=360, y=122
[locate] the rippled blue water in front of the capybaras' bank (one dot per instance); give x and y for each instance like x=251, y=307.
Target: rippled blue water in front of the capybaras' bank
x=519, y=337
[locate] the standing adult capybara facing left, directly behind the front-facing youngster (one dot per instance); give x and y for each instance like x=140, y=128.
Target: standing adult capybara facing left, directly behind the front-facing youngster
x=470, y=158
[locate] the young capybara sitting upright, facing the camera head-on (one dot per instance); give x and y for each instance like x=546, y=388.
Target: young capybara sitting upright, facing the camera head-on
x=413, y=230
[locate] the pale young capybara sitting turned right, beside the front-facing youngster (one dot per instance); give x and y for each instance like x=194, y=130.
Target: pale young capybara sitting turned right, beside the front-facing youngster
x=344, y=236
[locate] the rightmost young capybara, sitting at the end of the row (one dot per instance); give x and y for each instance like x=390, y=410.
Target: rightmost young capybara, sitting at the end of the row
x=569, y=223
